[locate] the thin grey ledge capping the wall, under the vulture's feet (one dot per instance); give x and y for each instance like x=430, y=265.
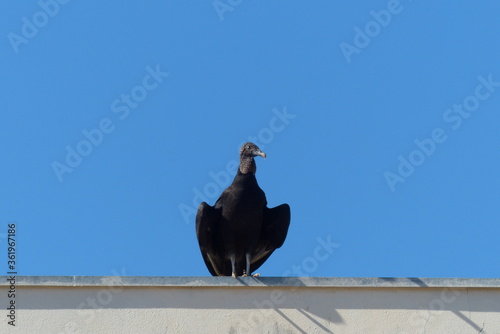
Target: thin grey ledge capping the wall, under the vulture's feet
x=202, y=282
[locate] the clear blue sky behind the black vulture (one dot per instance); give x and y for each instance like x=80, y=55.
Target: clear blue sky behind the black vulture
x=380, y=122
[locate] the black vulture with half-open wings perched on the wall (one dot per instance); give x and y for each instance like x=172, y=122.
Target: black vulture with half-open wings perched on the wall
x=239, y=233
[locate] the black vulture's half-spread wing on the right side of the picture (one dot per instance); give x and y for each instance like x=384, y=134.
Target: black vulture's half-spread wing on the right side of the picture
x=273, y=234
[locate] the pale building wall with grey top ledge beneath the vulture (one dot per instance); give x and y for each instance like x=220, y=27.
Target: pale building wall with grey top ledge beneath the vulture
x=249, y=305
